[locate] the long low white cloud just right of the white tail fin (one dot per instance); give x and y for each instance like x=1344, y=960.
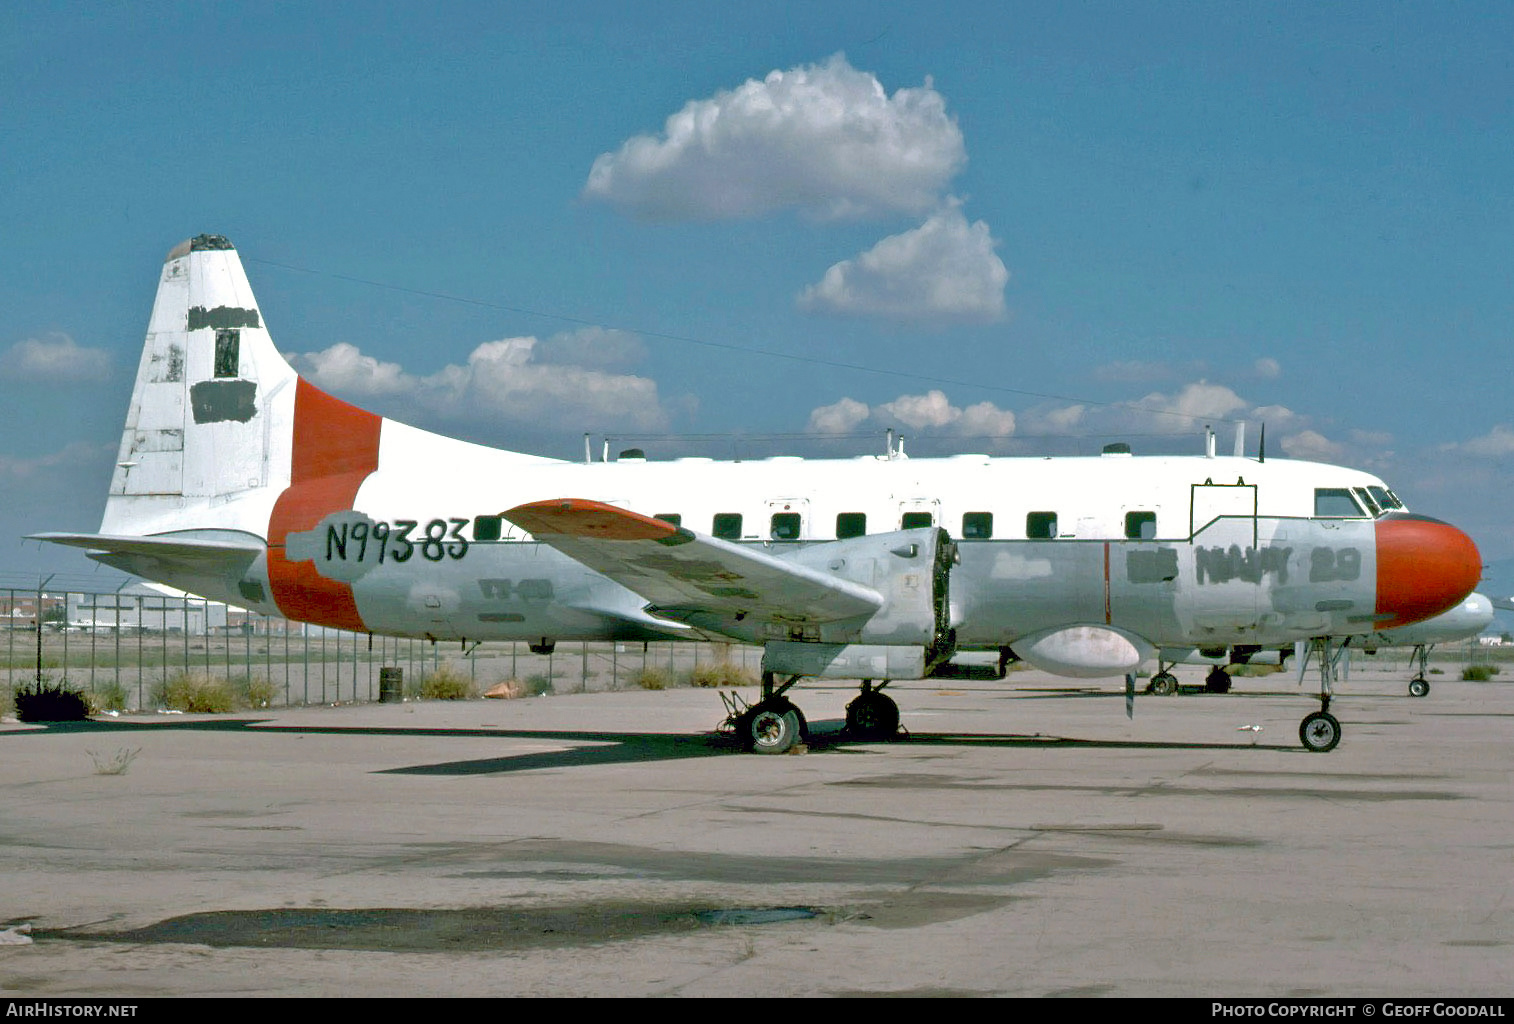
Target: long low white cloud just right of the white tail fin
x=503, y=382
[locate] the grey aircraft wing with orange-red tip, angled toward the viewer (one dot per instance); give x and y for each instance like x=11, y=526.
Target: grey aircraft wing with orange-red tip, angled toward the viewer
x=679, y=570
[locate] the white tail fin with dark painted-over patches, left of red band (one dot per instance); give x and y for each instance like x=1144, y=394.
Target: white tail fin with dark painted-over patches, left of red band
x=211, y=420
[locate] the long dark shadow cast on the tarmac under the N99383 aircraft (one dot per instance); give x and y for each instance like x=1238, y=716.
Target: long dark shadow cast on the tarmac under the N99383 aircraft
x=618, y=748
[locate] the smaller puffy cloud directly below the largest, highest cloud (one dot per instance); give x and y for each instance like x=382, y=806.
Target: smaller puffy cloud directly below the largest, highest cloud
x=944, y=270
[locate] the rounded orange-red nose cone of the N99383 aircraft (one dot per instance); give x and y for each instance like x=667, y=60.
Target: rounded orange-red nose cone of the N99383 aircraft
x=1424, y=569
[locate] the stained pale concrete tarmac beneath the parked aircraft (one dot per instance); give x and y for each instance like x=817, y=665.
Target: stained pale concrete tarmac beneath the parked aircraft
x=1026, y=840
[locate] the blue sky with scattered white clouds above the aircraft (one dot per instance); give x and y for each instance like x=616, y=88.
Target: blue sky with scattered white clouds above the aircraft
x=1041, y=225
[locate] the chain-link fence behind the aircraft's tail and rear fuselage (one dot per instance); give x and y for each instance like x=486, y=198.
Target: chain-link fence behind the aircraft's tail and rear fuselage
x=140, y=651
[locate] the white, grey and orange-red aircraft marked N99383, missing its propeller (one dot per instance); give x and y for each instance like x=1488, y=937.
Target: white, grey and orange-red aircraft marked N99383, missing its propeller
x=240, y=481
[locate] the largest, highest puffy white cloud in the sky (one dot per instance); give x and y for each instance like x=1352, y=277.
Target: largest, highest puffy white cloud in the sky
x=823, y=139
